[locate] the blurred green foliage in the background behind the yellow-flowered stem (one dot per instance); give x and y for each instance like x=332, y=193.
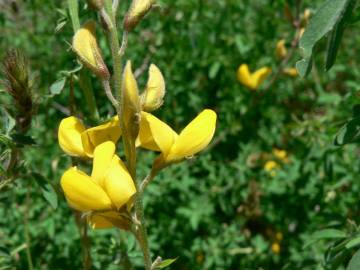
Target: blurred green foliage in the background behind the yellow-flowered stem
x=271, y=176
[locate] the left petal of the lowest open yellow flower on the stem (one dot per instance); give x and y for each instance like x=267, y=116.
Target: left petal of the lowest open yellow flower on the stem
x=82, y=192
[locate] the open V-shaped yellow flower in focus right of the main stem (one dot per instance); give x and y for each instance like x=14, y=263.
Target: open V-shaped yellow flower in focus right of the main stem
x=158, y=136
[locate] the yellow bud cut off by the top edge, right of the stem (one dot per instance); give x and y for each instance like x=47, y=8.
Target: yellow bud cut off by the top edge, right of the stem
x=138, y=9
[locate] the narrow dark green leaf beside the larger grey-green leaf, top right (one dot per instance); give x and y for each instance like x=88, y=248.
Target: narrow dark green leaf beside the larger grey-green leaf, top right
x=335, y=37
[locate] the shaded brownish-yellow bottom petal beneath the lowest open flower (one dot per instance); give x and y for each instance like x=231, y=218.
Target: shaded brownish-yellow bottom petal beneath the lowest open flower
x=107, y=220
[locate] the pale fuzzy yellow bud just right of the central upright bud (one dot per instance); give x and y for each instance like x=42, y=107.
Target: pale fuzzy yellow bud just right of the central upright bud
x=154, y=93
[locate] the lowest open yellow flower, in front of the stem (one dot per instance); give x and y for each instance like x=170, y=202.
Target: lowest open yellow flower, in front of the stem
x=108, y=189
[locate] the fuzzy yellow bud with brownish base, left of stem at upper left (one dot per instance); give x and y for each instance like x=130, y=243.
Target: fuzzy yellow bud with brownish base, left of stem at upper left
x=86, y=47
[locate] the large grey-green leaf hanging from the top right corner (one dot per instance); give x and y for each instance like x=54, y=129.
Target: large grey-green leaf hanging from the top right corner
x=321, y=24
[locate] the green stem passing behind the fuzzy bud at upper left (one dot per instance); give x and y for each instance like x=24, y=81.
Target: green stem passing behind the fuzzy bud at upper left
x=84, y=77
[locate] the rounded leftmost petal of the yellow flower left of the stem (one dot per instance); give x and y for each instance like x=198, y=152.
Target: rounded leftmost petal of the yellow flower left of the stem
x=69, y=136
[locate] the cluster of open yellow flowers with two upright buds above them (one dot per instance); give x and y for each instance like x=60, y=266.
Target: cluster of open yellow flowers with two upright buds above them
x=106, y=196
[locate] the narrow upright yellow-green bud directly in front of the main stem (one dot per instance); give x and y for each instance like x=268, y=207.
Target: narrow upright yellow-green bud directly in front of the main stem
x=131, y=102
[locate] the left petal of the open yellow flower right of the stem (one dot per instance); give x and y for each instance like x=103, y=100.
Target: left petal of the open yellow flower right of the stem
x=154, y=134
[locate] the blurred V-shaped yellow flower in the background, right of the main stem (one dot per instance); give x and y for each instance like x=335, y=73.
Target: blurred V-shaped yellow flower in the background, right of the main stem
x=252, y=80
